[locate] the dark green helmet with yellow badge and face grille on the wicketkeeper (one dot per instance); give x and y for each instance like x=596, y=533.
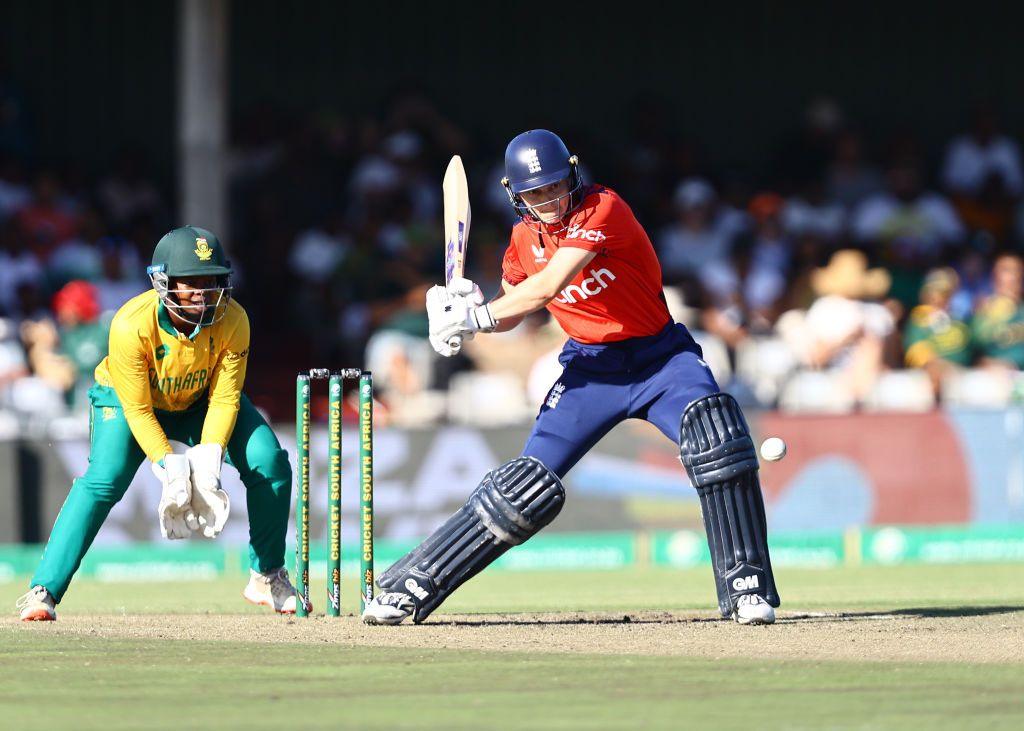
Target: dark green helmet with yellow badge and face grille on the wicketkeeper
x=191, y=251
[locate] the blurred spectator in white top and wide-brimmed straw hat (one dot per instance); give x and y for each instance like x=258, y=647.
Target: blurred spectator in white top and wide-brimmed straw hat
x=846, y=329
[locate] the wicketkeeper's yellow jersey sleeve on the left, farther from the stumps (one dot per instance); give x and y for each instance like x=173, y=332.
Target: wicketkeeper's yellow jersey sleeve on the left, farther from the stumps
x=129, y=369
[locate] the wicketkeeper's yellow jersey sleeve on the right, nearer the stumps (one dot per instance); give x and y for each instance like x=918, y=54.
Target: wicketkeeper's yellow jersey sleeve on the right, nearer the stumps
x=228, y=376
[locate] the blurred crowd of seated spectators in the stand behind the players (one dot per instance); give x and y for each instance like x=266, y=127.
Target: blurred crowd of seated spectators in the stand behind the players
x=851, y=273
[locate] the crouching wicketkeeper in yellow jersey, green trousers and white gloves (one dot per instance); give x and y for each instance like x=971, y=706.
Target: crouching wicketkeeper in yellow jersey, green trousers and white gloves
x=176, y=369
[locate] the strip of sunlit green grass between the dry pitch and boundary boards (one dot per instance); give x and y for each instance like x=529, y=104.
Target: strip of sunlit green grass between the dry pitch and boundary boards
x=817, y=590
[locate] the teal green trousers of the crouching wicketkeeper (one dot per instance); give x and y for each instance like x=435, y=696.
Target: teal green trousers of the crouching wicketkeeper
x=115, y=458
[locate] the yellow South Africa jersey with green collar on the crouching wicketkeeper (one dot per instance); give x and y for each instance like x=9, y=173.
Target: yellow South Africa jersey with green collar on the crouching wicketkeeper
x=152, y=366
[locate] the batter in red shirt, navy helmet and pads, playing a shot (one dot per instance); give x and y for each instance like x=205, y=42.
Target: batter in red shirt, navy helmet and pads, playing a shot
x=580, y=252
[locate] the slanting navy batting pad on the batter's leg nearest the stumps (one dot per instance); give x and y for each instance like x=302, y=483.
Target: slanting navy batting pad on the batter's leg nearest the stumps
x=511, y=505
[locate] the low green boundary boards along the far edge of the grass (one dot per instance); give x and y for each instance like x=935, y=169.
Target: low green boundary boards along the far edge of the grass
x=681, y=549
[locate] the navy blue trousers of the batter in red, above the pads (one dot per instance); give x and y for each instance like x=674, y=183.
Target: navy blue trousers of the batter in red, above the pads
x=653, y=378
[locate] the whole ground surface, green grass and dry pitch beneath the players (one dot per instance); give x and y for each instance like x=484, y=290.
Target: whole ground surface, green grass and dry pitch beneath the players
x=63, y=675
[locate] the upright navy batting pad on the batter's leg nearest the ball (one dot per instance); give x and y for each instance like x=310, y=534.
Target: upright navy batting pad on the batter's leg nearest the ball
x=716, y=449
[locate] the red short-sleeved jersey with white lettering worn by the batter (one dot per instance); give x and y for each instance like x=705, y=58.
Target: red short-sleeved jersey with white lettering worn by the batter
x=619, y=294
